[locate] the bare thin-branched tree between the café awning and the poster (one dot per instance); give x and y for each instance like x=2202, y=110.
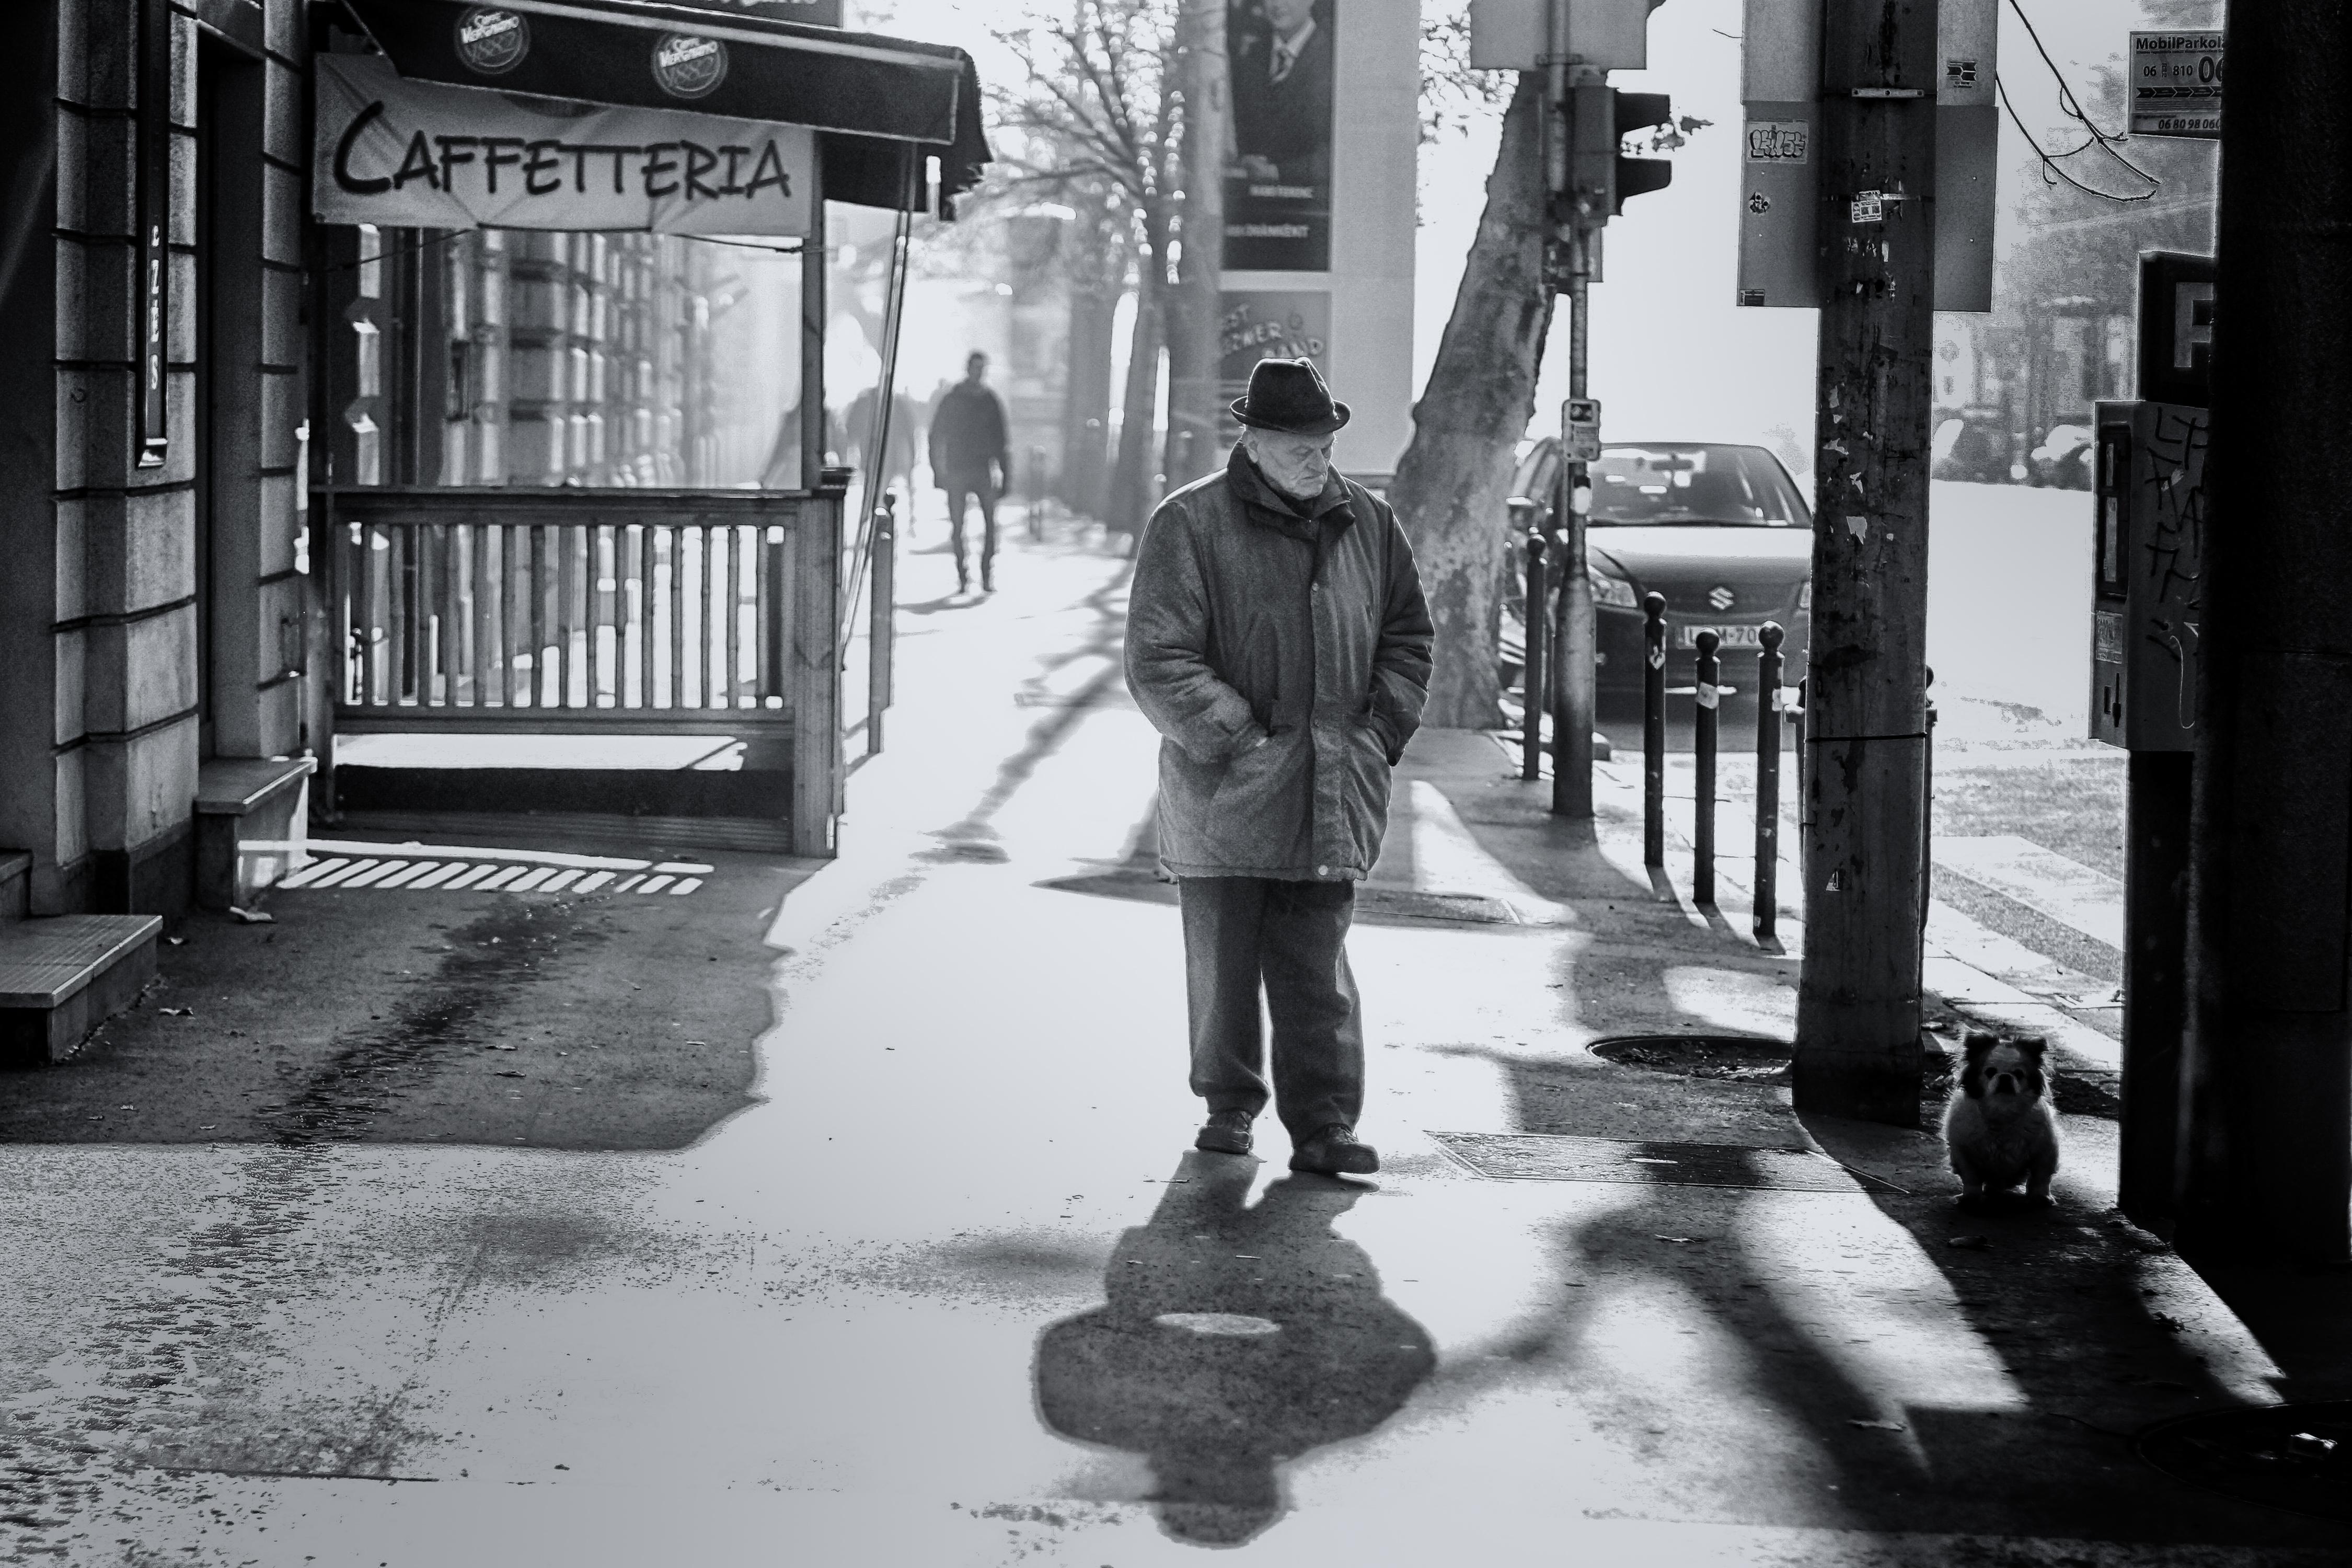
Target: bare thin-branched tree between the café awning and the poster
x=1102, y=107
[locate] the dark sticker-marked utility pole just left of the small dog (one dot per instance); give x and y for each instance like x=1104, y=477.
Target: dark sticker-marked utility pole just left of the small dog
x=1866, y=674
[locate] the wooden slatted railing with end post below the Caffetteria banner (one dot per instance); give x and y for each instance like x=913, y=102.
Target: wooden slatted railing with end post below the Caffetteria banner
x=596, y=610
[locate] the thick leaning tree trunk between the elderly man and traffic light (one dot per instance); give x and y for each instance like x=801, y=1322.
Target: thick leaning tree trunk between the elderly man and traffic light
x=1452, y=483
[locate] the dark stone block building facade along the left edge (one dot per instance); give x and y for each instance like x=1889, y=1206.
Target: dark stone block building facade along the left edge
x=154, y=603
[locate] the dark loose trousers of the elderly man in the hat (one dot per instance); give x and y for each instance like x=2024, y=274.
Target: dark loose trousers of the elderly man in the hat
x=1292, y=939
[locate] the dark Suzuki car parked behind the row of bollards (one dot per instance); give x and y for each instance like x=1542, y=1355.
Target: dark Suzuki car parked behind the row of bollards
x=1718, y=530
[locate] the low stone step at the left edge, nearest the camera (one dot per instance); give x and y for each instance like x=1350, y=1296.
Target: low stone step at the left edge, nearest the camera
x=62, y=977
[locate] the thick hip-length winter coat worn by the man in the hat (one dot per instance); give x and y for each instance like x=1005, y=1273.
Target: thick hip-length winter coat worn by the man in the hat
x=1283, y=650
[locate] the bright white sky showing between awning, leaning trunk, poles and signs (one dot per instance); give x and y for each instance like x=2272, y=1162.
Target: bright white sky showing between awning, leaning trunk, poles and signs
x=1671, y=354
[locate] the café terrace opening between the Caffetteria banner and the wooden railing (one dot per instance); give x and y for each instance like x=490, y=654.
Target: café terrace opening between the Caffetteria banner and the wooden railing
x=495, y=359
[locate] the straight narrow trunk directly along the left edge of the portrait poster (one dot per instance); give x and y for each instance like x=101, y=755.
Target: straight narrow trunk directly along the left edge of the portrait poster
x=1194, y=307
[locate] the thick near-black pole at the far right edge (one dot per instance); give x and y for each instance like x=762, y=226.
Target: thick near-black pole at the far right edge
x=2269, y=1071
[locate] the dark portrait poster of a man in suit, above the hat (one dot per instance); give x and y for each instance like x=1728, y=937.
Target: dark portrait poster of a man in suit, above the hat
x=1278, y=187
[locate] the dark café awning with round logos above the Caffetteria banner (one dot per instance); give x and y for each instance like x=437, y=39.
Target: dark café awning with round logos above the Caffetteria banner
x=881, y=107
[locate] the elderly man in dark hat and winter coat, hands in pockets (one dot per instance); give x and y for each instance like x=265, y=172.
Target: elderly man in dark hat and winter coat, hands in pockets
x=1278, y=641
